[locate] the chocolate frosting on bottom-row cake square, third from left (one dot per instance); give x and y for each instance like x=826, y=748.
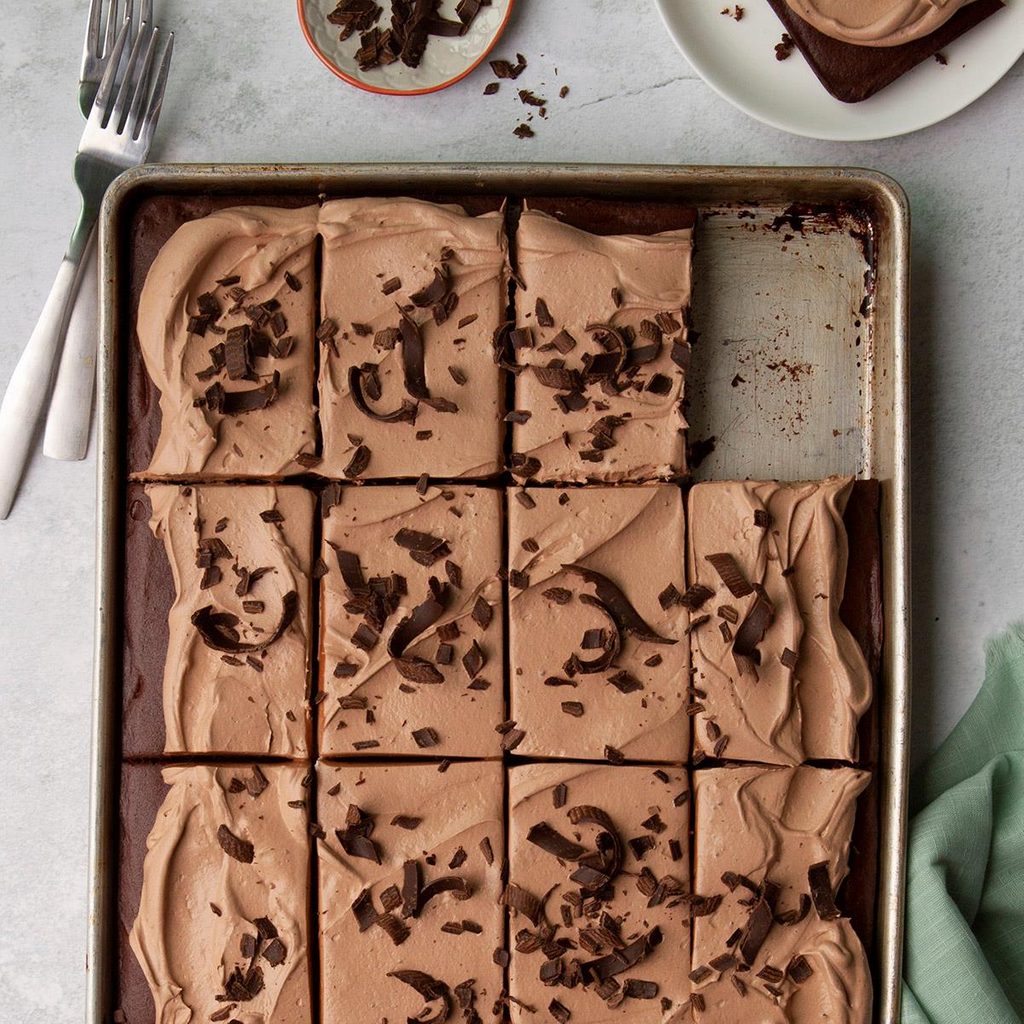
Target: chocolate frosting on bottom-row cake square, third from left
x=630, y=797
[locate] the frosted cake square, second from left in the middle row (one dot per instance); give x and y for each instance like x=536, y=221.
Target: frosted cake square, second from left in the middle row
x=412, y=622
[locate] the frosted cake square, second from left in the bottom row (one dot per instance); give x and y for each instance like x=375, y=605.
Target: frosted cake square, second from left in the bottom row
x=411, y=861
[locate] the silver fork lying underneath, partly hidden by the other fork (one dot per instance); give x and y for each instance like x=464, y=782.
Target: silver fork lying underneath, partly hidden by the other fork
x=67, y=435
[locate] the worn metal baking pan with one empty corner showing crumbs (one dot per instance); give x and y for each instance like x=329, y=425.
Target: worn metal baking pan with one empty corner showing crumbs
x=781, y=304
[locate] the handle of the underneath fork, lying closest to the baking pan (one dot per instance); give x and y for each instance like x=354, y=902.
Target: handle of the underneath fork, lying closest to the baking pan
x=67, y=436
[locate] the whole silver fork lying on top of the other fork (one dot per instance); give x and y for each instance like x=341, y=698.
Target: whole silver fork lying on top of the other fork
x=118, y=136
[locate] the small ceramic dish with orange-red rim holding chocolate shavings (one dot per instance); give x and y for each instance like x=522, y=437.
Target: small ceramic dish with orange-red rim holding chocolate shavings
x=447, y=60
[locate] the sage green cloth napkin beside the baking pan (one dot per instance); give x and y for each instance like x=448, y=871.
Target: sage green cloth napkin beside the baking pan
x=965, y=897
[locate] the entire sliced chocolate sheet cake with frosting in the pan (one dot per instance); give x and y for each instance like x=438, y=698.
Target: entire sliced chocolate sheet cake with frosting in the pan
x=502, y=827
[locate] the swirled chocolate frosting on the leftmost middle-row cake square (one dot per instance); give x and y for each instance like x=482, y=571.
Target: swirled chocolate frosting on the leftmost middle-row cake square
x=218, y=702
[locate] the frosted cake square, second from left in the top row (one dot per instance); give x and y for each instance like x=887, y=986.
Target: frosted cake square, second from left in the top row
x=412, y=296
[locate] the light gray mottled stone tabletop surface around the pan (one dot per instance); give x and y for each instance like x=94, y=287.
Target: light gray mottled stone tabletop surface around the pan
x=245, y=88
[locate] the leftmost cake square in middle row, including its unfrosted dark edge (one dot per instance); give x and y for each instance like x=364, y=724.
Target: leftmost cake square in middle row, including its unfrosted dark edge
x=218, y=642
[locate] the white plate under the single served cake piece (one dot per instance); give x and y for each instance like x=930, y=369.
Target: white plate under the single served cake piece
x=738, y=61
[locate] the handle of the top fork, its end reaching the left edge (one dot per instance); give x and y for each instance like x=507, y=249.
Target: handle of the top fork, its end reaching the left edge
x=30, y=383
